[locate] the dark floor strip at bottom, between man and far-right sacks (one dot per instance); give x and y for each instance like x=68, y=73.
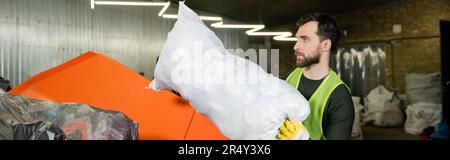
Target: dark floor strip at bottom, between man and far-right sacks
x=377, y=133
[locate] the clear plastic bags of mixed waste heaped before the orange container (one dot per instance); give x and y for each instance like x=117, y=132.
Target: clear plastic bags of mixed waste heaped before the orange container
x=35, y=119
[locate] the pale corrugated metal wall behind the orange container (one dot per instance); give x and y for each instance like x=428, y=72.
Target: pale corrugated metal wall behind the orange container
x=36, y=35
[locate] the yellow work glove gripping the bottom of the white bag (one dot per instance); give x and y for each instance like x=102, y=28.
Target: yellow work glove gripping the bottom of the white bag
x=290, y=130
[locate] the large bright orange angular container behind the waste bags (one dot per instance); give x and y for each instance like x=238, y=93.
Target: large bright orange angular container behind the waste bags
x=99, y=81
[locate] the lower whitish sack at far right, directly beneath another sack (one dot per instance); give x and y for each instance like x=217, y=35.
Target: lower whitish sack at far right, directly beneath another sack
x=422, y=115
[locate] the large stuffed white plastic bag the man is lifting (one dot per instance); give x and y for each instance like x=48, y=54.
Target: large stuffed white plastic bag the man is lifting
x=194, y=62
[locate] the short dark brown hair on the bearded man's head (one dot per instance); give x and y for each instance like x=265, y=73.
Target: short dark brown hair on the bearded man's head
x=327, y=29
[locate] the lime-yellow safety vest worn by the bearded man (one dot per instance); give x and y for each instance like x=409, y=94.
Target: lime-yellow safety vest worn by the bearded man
x=318, y=100
